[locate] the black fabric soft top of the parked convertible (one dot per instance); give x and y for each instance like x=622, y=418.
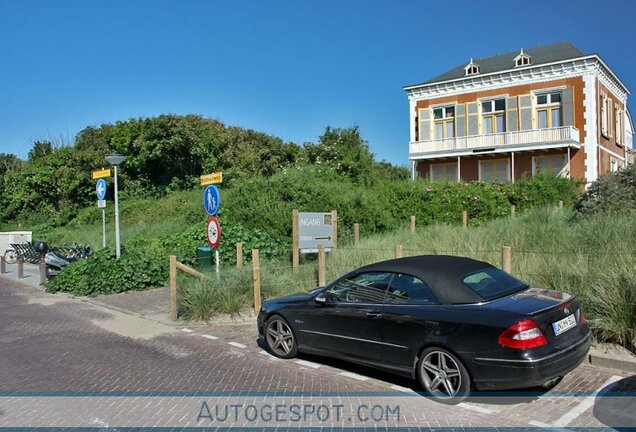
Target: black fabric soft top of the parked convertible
x=442, y=273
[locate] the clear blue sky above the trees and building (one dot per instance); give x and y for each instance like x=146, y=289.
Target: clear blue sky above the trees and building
x=288, y=68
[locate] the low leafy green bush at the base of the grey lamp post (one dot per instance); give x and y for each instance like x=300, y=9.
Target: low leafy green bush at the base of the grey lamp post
x=101, y=273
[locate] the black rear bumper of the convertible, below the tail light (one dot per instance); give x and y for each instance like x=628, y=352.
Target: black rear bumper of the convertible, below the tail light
x=503, y=374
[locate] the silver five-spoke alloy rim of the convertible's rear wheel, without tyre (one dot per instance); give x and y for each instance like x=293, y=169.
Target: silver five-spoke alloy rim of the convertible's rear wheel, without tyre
x=441, y=375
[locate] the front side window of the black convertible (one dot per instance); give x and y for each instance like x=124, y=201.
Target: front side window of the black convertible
x=367, y=287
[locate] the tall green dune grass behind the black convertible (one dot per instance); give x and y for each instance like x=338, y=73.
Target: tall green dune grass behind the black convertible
x=594, y=258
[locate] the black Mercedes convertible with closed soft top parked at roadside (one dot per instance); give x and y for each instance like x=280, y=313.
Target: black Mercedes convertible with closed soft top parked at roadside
x=453, y=323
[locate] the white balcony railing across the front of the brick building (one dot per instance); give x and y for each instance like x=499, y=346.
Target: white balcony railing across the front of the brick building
x=538, y=137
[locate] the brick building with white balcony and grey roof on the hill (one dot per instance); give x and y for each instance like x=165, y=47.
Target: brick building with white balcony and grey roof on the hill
x=547, y=109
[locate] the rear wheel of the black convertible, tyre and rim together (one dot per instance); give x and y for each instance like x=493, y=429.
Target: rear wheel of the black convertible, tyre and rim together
x=443, y=375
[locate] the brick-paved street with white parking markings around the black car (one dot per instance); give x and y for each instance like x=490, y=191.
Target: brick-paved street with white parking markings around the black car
x=68, y=362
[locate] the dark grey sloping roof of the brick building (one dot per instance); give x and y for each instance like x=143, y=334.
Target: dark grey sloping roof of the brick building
x=499, y=63
